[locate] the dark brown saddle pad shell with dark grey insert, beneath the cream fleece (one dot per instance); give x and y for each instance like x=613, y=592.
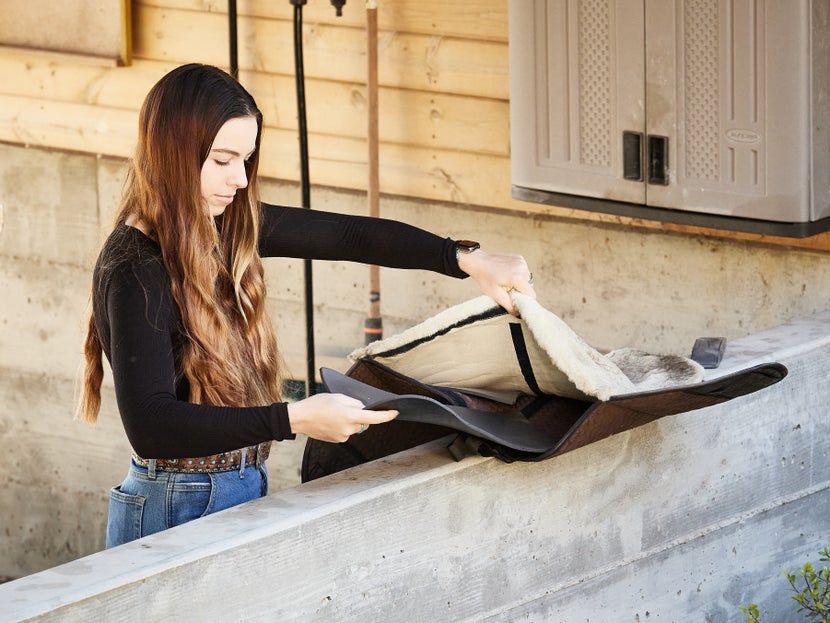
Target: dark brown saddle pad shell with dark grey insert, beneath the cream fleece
x=533, y=429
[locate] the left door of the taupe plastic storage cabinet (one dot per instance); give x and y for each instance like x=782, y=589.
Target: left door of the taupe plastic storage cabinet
x=577, y=87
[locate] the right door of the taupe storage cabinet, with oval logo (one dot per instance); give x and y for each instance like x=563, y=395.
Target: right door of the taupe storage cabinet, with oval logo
x=718, y=72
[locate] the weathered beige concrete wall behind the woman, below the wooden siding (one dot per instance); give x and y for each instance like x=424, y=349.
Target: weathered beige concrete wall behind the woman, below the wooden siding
x=615, y=285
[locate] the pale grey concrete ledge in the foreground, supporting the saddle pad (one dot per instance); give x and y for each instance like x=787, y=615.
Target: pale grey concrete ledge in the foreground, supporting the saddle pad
x=684, y=519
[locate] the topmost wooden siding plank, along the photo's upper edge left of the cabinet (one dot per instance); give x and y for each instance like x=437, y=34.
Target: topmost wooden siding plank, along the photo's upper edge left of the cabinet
x=482, y=19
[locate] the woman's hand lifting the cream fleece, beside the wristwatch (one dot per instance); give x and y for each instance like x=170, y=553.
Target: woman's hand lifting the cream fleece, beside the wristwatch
x=497, y=274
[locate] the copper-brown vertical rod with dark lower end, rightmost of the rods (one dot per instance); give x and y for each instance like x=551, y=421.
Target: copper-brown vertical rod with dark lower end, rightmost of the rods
x=373, y=327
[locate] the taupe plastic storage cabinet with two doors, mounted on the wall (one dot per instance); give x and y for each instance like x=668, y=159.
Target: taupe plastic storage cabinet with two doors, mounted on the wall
x=704, y=112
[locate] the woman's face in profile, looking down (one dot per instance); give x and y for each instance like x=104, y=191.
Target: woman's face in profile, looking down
x=223, y=172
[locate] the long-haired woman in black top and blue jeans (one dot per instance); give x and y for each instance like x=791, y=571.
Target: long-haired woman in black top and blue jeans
x=178, y=306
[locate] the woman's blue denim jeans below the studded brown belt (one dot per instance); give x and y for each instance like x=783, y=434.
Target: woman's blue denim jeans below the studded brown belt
x=150, y=501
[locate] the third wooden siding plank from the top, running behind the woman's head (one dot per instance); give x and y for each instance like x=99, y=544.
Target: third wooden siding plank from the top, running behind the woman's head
x=436, y=121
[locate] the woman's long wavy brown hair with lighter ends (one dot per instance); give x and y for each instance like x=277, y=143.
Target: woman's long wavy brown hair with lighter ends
x=229, y=355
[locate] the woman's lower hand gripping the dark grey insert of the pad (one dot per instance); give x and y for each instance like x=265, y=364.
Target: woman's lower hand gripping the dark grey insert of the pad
x=333, y=417
